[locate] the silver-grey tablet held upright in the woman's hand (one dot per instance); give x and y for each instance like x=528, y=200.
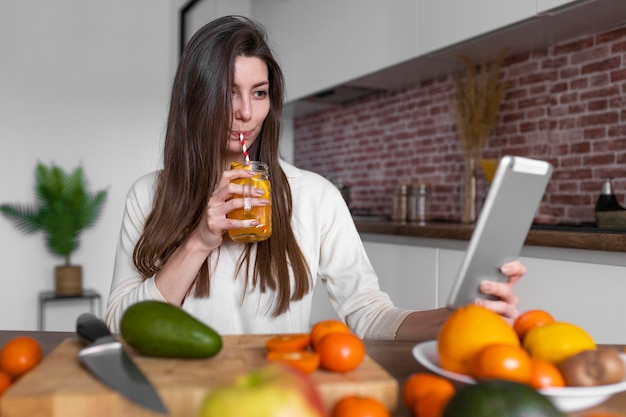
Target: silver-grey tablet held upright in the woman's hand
x=504, y=221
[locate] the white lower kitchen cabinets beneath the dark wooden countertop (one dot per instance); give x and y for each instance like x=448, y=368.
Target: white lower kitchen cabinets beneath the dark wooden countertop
x=583, y=287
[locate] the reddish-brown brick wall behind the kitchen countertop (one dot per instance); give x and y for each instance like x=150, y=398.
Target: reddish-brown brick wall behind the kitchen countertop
x=565, y=104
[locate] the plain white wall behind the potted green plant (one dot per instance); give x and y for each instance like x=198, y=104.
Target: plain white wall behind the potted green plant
x=81, y=82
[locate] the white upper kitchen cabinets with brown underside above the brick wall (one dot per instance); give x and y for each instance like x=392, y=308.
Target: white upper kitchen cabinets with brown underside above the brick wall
x=325, y=44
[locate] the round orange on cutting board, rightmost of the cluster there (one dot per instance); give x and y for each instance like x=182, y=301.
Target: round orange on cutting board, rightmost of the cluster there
x=341, y=352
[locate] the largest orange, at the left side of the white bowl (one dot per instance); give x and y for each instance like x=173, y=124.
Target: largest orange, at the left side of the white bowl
x=466, y=331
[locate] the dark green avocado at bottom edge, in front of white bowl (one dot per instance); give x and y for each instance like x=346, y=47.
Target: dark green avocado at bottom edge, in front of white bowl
x=499, y=398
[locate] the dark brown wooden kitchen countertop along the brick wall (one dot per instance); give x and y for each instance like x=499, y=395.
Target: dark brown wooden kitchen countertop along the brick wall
x=567, y=236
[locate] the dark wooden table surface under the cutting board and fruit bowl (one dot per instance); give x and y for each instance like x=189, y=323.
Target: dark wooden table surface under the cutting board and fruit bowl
x=395, y=357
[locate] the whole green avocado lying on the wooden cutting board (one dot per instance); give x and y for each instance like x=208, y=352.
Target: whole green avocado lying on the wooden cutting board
x=155, y=328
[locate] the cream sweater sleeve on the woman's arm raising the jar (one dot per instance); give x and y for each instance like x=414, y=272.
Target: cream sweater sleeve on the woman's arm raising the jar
x=128, y=286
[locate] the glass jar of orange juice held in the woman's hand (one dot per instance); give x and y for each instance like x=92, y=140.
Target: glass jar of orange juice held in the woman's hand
x=263, y=214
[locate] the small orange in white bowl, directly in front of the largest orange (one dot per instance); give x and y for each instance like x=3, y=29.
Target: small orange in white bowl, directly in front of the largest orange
x=502, y=362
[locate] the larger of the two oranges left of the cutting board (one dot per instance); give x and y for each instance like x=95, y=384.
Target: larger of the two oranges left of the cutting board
x=19, y=355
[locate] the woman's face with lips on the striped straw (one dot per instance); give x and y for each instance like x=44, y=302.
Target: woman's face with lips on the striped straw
x=251, y=103
